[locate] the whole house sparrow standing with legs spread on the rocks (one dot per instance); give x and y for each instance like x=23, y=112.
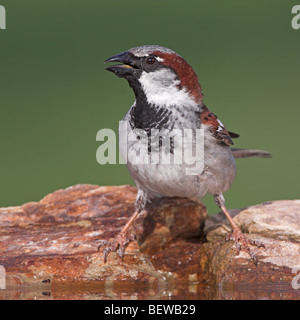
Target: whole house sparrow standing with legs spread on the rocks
x=168, y=97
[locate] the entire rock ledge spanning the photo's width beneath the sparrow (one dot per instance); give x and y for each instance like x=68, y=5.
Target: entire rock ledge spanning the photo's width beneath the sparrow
x=56, y=241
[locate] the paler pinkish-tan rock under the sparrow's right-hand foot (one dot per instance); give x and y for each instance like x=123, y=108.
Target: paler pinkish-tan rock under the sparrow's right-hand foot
x=277, y=225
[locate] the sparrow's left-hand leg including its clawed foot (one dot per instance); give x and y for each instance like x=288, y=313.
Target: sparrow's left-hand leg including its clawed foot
x=123, y=237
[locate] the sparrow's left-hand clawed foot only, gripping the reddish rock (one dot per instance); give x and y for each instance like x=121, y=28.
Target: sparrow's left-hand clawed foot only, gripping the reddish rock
x=118, y=244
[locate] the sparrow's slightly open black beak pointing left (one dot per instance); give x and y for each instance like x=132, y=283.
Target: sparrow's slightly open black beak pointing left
x=122, y=70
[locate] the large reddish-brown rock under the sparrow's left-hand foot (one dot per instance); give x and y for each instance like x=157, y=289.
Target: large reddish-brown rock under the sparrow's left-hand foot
x=56, y=240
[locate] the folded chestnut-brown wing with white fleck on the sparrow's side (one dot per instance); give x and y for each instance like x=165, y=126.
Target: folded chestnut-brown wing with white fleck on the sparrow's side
x=216, y=127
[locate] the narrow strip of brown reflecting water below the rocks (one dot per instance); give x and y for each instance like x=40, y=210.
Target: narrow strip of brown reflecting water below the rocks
x=96, y=291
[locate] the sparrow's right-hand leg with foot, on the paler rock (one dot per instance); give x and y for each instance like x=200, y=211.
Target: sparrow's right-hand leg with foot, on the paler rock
x=241, y=242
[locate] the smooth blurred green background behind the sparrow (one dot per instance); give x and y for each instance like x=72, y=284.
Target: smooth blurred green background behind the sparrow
x=55, y=94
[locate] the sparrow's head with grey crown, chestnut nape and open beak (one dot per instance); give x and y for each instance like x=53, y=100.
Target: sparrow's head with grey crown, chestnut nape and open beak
x=159, y=75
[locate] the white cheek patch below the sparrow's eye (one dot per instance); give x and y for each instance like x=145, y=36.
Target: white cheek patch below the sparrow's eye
x=161, y=88
